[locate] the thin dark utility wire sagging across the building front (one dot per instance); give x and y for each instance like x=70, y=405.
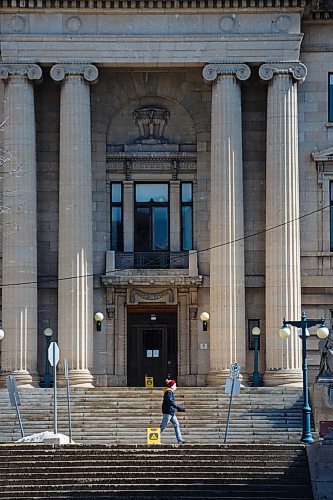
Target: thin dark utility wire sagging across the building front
x=49, y=279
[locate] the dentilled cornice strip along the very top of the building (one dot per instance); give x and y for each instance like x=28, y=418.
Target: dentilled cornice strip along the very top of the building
x=146, y=5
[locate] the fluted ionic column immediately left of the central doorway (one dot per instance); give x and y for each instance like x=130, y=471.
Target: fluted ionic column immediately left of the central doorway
x=75, y=291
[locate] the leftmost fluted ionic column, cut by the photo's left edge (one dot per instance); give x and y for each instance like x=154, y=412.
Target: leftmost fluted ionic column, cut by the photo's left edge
x=19, y=257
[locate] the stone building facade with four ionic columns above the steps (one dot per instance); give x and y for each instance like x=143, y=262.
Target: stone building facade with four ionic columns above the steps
x=165, y=158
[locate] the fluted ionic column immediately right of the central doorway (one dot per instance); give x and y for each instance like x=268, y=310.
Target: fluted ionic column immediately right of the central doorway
x=227, y=279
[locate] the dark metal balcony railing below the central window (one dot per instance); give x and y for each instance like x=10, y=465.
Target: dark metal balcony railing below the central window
x=152, y=260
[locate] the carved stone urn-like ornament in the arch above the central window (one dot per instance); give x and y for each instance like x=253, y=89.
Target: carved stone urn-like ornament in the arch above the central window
x=151, y=121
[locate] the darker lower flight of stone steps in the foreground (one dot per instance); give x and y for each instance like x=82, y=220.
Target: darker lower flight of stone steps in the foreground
x=232, y=472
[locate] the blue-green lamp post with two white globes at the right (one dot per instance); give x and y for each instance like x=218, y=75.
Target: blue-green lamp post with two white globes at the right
x=322, y=333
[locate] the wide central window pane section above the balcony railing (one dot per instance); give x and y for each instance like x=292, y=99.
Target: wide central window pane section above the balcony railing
x=151, y=217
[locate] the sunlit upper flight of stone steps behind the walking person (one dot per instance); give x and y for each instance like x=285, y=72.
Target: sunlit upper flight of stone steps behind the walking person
x=121, y=415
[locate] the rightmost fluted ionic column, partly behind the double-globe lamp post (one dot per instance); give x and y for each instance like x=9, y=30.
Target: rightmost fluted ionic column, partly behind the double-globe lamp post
x=283, y=276
